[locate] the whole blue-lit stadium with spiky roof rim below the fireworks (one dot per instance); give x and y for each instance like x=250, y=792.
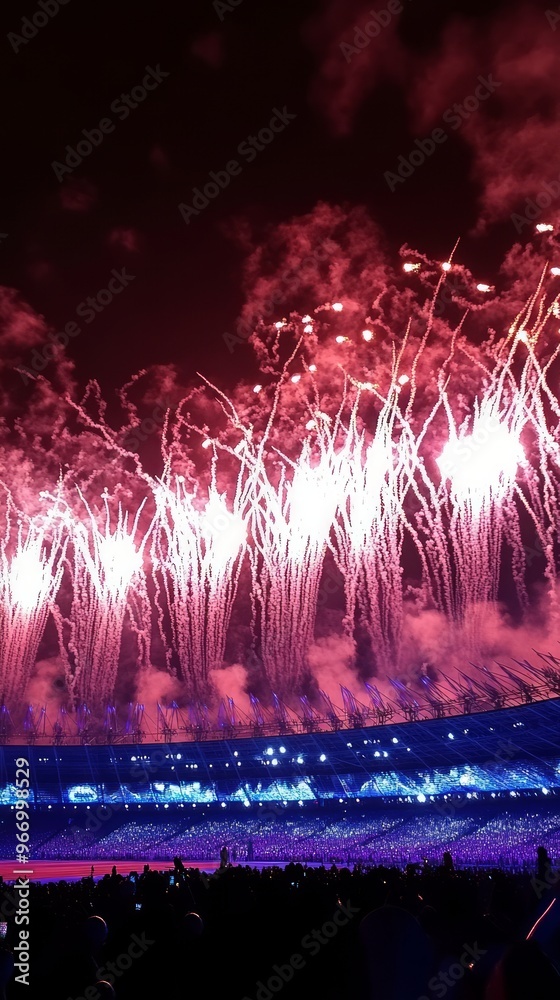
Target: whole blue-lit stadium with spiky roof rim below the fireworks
x=484, y=786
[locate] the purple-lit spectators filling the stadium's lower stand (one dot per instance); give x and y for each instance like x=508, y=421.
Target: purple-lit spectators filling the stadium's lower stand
x=477, y=834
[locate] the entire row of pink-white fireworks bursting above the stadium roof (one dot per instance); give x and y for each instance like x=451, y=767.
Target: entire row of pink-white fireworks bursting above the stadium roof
x=419, y=467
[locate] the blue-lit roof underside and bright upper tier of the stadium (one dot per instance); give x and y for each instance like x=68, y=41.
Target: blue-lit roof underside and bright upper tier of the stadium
x=509, y=750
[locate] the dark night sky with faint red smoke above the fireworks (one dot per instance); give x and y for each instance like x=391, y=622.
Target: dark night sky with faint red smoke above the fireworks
x=356, y=113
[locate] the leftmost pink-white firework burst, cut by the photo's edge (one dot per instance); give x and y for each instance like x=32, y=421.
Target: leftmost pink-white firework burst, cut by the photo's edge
x=31, y=567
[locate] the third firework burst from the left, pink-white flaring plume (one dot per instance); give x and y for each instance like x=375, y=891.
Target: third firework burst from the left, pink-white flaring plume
x=197, y=553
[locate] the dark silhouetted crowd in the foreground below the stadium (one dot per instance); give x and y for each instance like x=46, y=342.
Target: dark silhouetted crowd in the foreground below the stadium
x=362, y=933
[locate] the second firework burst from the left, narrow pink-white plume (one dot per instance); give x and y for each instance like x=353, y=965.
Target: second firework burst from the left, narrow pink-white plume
x=107, y=580
